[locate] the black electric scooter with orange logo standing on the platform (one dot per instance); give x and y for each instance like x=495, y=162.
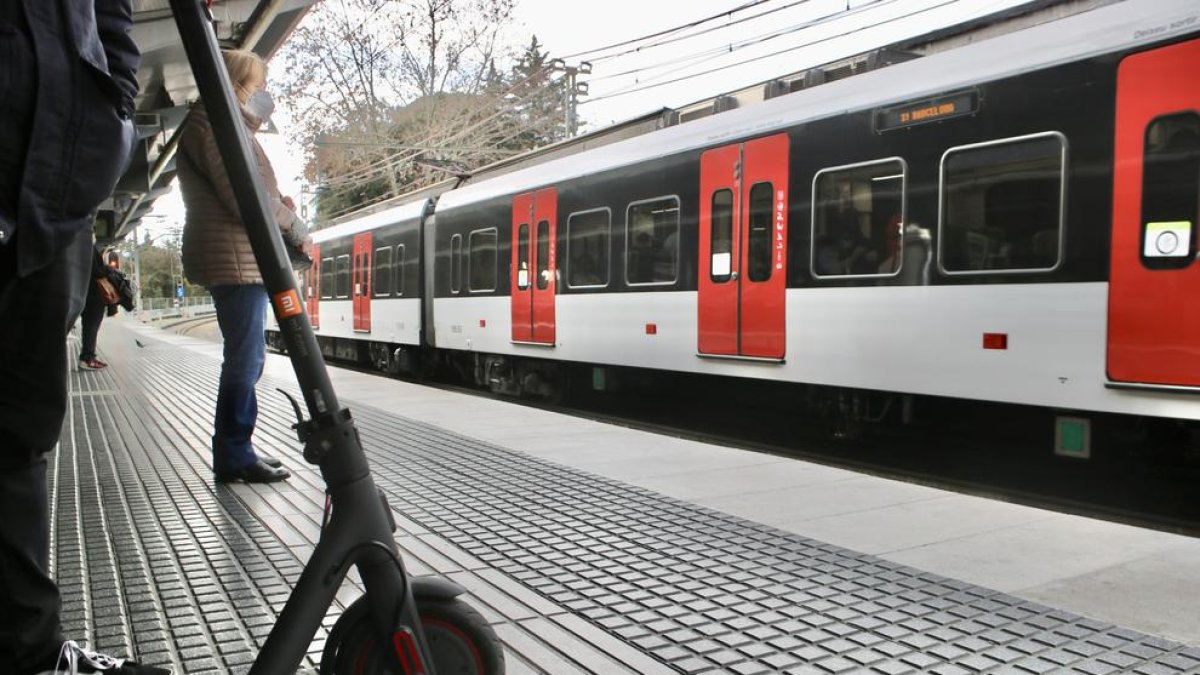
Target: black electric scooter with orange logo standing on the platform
x=401, y=625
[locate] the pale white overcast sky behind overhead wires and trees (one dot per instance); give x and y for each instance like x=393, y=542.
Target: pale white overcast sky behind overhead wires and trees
x=763, y=41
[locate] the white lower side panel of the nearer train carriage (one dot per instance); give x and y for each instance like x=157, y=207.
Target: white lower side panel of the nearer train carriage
x=920, y=341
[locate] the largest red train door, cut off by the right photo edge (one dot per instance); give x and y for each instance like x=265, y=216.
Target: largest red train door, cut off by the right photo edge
x=1154, y=333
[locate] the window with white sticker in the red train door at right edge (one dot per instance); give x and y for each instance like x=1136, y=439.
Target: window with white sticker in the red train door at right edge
x=1171, y=192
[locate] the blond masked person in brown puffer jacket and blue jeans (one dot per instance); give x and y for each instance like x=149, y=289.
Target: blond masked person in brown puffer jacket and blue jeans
x=218, y=255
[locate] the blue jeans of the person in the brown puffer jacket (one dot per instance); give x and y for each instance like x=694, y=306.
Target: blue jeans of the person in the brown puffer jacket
x=242, y=316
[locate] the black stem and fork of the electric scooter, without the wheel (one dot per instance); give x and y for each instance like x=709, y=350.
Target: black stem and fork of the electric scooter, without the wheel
x=359, y=530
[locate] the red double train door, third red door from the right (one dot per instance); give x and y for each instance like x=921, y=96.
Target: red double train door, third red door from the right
x=535, y=278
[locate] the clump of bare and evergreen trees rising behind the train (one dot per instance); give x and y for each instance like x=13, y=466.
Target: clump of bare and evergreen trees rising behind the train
x=395, y=94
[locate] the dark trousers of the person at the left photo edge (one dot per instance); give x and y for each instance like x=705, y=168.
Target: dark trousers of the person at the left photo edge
x=37, y=313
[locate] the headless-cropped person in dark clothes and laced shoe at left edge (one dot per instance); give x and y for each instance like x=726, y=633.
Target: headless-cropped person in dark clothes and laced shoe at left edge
x=67, y=94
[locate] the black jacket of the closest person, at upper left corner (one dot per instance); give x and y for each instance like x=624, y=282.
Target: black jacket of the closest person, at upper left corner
x=68, y=82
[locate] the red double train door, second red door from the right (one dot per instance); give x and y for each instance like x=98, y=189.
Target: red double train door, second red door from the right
x=743, y=249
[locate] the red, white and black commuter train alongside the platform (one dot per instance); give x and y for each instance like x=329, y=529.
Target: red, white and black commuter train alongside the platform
x=1009, y=222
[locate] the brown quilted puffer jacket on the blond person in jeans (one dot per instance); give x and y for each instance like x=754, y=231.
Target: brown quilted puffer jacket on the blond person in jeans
x=217, y=248
